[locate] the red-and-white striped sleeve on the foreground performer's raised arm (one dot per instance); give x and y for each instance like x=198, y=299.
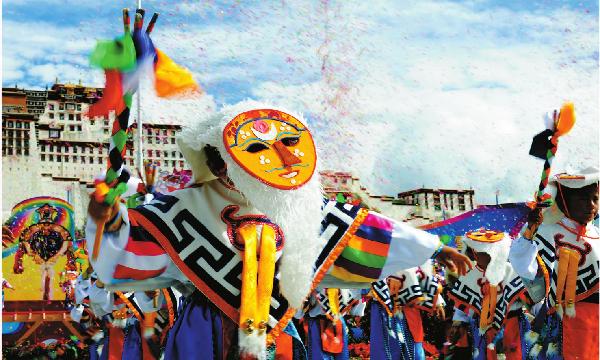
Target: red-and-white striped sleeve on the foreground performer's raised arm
x=129, y=257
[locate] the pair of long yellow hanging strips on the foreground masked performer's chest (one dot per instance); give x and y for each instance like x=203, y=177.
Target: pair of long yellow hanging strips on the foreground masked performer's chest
x=257, y=278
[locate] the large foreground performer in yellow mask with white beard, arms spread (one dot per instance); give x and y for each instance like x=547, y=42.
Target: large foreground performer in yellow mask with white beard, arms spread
x=251, y=233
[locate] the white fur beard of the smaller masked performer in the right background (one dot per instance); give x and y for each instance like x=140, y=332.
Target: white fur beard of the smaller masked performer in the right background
x=498, y=252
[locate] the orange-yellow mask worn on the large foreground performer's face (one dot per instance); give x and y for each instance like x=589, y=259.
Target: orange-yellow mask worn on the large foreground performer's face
x=272, y=146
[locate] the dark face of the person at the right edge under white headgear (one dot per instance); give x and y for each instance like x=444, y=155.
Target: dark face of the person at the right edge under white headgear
x=581, y=204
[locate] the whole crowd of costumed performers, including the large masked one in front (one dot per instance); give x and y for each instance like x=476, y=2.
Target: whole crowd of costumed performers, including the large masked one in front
x=248, y=263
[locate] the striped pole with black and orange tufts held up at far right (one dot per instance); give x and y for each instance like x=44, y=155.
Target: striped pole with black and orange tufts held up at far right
x=545, y=146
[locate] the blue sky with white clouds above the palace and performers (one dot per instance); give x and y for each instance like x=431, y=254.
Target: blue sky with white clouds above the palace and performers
x=411, y=93
